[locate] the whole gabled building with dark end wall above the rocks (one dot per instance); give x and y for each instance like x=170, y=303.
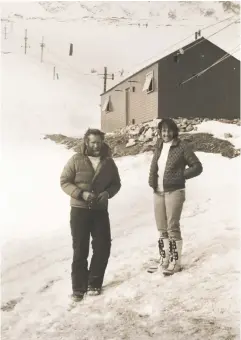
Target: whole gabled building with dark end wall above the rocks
x=155, y=91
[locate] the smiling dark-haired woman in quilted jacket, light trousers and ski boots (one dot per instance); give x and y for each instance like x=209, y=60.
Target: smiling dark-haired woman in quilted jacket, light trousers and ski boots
x=167, y=177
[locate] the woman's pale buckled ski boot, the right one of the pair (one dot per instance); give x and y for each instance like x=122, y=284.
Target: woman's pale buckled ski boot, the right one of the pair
x=175, y=258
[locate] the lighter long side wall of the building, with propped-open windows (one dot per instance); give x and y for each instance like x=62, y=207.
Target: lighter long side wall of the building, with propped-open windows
x=143, y=107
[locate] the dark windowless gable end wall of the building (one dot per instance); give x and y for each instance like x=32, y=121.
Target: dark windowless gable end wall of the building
x=215, y=94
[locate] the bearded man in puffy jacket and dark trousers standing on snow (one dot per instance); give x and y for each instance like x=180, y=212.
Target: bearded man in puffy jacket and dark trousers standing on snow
x=90, y=178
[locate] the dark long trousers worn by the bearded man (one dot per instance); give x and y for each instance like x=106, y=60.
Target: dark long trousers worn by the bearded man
x=86, y=222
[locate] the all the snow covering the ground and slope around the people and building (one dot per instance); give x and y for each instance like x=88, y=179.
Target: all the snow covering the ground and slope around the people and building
x=200, y=302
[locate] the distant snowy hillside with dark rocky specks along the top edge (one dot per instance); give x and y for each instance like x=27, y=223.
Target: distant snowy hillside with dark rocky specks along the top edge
x=135, y=11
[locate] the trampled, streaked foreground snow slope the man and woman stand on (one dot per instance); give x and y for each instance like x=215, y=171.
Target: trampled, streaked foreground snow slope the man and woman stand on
x=201, y=301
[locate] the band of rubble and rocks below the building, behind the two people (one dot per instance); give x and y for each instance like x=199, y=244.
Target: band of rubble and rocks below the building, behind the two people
x=139, y=138
